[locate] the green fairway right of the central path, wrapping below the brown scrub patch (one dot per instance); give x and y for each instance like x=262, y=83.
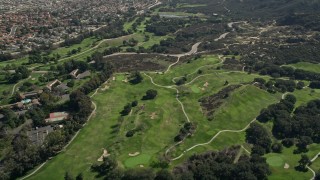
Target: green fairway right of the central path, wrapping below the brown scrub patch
x=235, y=114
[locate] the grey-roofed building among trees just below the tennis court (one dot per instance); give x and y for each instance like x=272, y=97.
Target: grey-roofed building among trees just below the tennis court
x=38, y=135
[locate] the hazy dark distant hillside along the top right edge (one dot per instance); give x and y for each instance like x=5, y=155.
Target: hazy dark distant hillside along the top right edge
x=255, y=9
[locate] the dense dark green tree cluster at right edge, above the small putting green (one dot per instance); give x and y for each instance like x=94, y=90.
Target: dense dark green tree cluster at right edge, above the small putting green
x=300, y=128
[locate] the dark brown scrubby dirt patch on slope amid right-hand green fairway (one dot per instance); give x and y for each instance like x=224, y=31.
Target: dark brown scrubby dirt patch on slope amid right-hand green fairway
x=211, y=103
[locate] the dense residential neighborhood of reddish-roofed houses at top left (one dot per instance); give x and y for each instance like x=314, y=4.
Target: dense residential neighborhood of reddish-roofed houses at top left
x=25, y=25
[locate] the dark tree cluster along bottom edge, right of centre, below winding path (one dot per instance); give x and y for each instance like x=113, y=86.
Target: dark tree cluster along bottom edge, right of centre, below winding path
x=222, y=165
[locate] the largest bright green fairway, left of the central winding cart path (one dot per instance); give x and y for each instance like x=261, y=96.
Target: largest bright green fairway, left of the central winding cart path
x=99, y=131
